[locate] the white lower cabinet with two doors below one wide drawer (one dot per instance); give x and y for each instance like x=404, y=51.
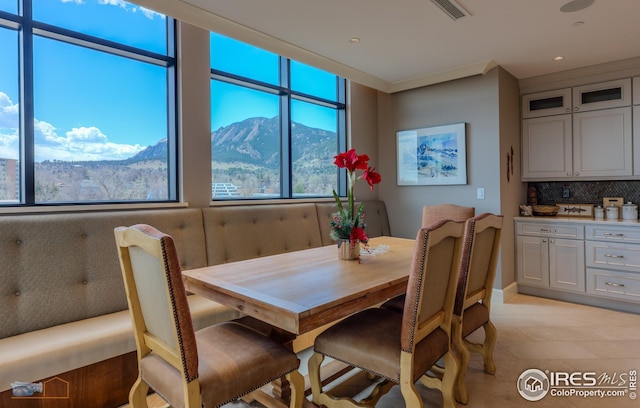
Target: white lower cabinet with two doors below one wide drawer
x=546, y=259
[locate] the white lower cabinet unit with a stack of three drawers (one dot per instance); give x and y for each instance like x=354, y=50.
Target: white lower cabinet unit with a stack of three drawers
x=613, y=262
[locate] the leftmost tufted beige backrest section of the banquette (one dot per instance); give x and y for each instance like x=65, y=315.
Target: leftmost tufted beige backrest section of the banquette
x=64, y=268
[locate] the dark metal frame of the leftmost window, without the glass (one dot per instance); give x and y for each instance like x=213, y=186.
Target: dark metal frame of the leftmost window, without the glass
x=27, y=28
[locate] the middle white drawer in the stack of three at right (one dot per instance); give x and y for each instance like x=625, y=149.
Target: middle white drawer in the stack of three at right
x=613, y=255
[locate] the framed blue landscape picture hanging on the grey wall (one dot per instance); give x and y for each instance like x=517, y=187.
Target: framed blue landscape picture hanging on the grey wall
x=432, y=156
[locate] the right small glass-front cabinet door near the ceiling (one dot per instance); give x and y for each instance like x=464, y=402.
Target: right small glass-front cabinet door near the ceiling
x=603, y=95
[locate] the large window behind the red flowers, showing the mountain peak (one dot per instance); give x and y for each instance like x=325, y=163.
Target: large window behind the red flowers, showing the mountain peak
x=275, y=124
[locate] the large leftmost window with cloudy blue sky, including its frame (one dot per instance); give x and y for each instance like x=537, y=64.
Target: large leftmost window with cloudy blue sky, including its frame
x=87, y=102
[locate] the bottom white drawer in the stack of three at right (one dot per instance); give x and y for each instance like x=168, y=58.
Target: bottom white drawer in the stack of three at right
x=613, y=284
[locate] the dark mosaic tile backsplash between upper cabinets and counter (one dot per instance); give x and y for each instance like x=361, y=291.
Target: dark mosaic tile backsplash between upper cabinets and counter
x=587, y=192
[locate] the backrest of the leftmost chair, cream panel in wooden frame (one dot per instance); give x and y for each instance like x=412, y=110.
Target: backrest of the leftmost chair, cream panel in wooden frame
x=157, y=297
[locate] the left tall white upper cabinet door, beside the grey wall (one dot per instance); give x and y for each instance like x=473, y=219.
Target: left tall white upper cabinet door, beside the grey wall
x=547, y=148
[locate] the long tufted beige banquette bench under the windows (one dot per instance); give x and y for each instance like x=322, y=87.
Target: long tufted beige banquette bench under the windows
x=63, y=308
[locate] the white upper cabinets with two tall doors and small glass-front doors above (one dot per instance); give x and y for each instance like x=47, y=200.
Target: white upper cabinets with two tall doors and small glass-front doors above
x=594, y=142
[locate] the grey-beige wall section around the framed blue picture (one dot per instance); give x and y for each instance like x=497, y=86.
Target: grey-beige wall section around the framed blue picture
x=489, y=105
